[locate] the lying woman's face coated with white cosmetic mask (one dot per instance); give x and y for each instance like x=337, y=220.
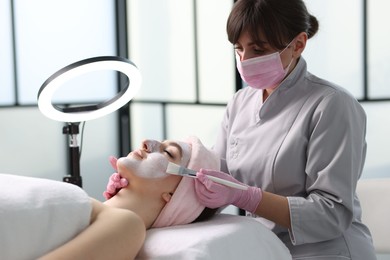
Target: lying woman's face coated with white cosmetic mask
x=151, y=160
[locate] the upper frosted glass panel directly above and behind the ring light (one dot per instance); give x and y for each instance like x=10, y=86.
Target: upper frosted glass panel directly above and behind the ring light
x=53, y=34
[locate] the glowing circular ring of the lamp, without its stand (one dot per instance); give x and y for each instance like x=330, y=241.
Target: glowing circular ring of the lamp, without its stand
x=85, y=113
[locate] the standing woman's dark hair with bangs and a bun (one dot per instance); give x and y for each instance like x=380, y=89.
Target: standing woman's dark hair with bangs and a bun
x=279, y=21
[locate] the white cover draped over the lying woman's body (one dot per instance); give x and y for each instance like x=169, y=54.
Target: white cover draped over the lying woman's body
x=38, y=215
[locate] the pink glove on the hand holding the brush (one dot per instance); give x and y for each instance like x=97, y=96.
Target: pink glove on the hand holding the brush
x=215, y=195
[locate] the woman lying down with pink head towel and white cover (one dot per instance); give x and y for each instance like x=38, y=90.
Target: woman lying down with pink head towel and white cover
x=53, y=220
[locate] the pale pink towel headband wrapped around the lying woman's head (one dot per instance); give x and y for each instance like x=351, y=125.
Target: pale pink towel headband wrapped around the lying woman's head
x=184, y=207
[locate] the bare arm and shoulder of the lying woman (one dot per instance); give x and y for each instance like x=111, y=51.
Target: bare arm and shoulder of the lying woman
x=113, y=234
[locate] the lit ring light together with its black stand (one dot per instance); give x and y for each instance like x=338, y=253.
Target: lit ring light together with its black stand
x=74, y=115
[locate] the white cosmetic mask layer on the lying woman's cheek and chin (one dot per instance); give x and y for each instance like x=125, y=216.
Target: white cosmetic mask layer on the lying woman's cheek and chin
x=153, y=167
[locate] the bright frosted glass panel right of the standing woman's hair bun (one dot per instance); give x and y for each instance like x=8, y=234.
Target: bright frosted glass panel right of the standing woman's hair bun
x=336, y=52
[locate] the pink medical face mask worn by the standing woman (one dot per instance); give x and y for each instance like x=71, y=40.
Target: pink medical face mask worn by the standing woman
x=264, y=71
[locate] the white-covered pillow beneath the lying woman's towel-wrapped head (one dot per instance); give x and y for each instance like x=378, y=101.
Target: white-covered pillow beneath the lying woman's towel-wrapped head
x=224, y=237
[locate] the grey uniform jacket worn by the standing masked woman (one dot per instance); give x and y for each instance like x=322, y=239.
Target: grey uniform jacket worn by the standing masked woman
x=305, y=142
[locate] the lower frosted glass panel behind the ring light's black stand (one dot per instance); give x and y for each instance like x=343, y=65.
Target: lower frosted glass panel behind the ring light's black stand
x=33, y=145
